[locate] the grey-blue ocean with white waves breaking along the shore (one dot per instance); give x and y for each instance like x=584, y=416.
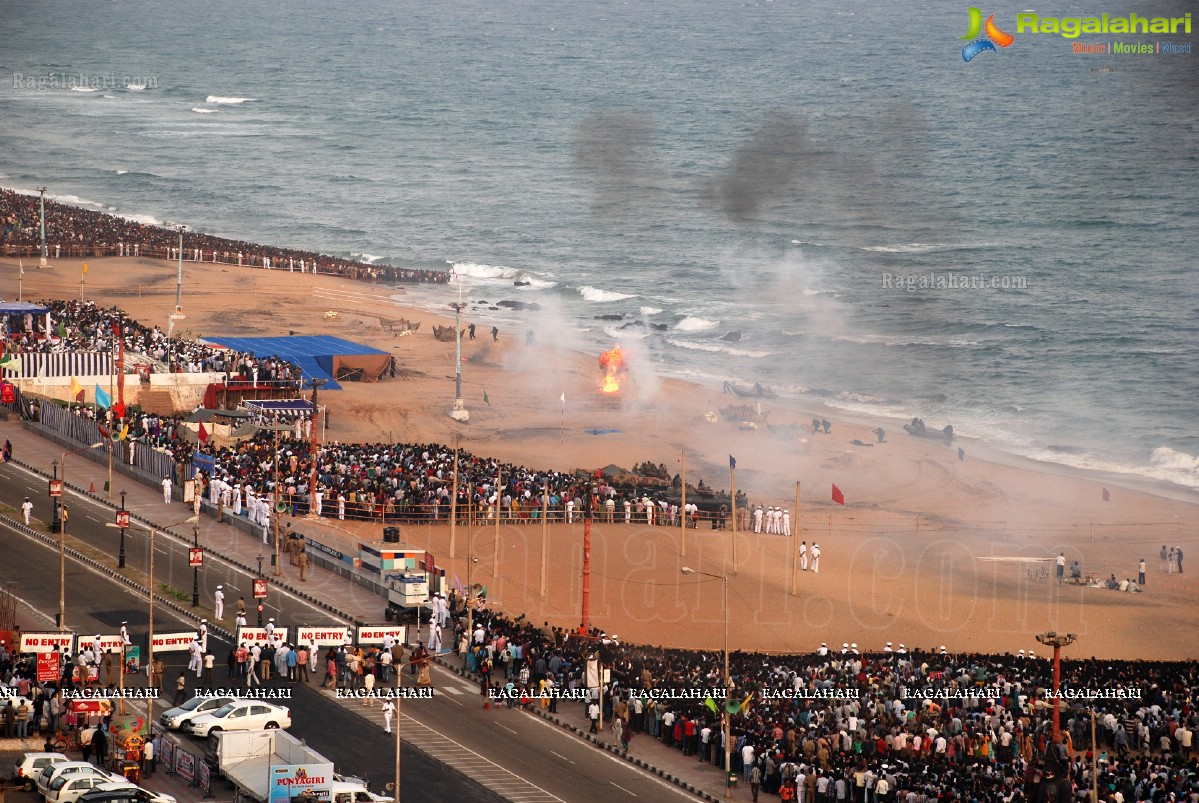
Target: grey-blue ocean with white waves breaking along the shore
x=746, y=174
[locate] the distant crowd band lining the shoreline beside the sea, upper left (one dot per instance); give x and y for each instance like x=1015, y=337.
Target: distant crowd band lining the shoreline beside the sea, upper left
x=73, y=232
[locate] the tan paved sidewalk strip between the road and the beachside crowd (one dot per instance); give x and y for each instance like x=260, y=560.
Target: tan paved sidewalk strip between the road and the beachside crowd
x=336, y=594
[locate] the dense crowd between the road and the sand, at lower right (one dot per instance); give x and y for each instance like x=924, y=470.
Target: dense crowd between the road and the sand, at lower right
x=938, y=727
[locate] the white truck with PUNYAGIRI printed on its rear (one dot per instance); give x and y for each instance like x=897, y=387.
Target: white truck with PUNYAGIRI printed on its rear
x=245, y=759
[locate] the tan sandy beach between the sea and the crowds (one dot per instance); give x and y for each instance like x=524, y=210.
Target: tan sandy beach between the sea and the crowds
x=929, y=551
